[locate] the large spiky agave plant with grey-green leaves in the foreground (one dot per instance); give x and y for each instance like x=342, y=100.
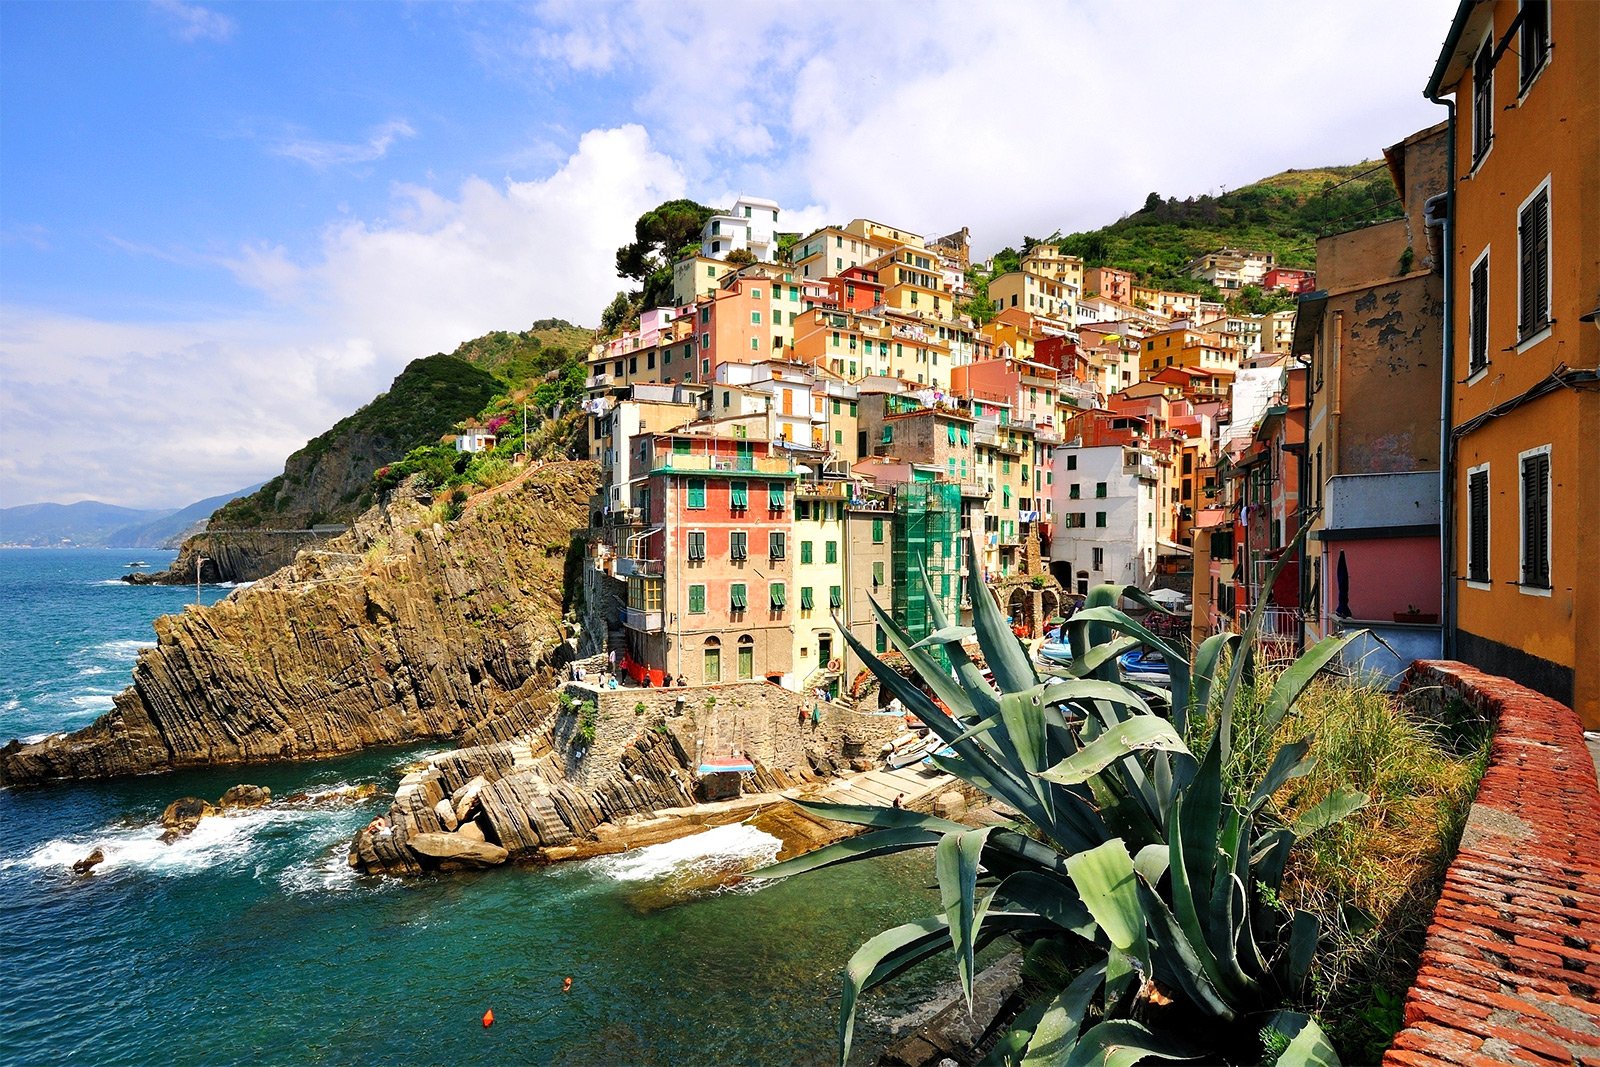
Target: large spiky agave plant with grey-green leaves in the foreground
x=1135, y=860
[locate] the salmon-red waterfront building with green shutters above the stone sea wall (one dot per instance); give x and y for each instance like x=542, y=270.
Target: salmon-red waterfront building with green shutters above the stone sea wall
x=711, y=578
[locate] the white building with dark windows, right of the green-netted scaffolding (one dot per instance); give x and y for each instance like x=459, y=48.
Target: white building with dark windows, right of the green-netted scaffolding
x=1105, y=503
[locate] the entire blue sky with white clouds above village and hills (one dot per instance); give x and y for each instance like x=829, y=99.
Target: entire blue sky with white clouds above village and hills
x=225, y=226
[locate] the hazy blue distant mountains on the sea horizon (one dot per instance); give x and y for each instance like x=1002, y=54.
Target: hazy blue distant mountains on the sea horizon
x=94, y=526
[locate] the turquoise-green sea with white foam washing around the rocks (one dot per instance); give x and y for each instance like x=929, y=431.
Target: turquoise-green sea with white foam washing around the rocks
x=250, y=941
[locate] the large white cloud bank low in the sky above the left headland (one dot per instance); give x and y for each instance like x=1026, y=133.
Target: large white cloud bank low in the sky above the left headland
x=151, y=415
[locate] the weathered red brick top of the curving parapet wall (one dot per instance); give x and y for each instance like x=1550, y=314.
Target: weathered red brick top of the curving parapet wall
x=1511, y=965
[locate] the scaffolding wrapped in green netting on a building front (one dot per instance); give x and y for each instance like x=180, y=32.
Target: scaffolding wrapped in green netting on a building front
x=927, y=532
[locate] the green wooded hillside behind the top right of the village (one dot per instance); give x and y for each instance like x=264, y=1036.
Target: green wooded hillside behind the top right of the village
x=1284, y=215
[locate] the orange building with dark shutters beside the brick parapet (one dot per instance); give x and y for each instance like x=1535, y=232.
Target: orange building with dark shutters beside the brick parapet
x=1524, y=284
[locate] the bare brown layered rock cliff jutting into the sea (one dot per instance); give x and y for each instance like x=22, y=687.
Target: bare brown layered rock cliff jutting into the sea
x=402, y=629
